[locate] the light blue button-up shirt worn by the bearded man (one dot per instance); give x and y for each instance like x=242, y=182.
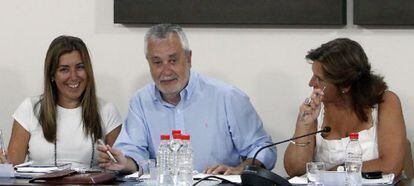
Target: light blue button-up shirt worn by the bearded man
x=222, y=123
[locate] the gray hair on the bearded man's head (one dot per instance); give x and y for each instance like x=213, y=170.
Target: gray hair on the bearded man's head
x=161, y=31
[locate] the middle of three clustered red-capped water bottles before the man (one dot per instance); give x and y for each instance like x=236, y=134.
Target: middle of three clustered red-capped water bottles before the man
x=175, y=146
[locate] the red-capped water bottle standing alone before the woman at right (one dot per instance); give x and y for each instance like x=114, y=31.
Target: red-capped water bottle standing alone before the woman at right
x=353, y=161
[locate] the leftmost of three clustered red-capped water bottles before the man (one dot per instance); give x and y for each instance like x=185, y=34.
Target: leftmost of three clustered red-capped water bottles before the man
x=163, y=157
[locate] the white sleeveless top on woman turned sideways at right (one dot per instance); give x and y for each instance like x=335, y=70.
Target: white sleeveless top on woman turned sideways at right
x=332, y=152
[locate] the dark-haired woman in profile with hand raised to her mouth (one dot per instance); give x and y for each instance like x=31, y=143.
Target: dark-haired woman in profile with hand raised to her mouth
x=349, y=98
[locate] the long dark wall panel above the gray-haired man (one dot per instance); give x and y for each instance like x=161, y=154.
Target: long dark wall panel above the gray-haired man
x=239, y=12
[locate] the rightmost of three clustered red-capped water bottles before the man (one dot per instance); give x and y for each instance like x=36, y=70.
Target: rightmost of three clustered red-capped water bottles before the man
x=185, y=172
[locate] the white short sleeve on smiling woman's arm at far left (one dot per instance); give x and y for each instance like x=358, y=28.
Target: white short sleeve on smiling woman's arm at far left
x=25, y=116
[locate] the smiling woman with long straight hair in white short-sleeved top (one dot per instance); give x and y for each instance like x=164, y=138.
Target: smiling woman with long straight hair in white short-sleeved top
x=63, y=124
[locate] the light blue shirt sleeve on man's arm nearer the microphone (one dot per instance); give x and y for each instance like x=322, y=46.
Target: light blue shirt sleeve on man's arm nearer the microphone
x=247, y=130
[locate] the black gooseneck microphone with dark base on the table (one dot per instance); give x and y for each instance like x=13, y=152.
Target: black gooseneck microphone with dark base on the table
x=254, y=175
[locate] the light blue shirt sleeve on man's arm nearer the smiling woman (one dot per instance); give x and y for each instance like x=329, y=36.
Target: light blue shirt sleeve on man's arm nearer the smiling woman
x=132, y=140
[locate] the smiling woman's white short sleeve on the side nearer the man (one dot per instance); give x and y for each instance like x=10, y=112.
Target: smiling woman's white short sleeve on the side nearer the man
x=110, y=118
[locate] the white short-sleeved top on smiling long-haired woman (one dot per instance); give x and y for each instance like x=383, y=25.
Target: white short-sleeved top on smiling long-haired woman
x=72, y=145
